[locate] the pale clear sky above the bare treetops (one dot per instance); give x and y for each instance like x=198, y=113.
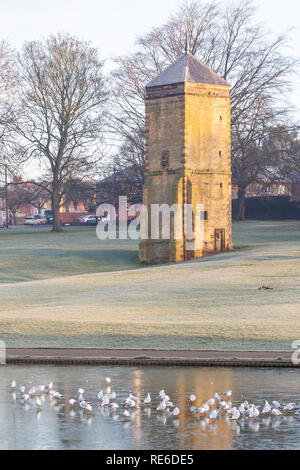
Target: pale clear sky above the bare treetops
x=112, y=25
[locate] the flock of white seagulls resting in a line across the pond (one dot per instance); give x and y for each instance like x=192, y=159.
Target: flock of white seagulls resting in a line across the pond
x=212, y=410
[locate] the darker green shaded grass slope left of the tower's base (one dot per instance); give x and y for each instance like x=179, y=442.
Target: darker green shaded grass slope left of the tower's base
x=28, y=254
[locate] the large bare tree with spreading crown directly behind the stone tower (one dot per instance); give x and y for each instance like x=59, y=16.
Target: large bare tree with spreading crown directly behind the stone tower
x=229, y=40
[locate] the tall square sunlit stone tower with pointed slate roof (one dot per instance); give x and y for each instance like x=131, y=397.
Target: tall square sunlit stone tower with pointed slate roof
x=188, y=158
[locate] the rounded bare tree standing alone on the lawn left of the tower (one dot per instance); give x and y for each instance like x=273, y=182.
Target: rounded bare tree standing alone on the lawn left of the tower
x=63, y=97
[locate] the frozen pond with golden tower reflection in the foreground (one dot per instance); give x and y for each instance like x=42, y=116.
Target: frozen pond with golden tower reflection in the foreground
x=56, y=426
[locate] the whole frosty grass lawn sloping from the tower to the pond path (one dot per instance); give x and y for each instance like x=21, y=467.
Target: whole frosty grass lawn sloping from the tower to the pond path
x=71, y=290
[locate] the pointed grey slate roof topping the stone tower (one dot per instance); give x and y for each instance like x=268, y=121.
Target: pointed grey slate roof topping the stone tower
x=187, y=69
